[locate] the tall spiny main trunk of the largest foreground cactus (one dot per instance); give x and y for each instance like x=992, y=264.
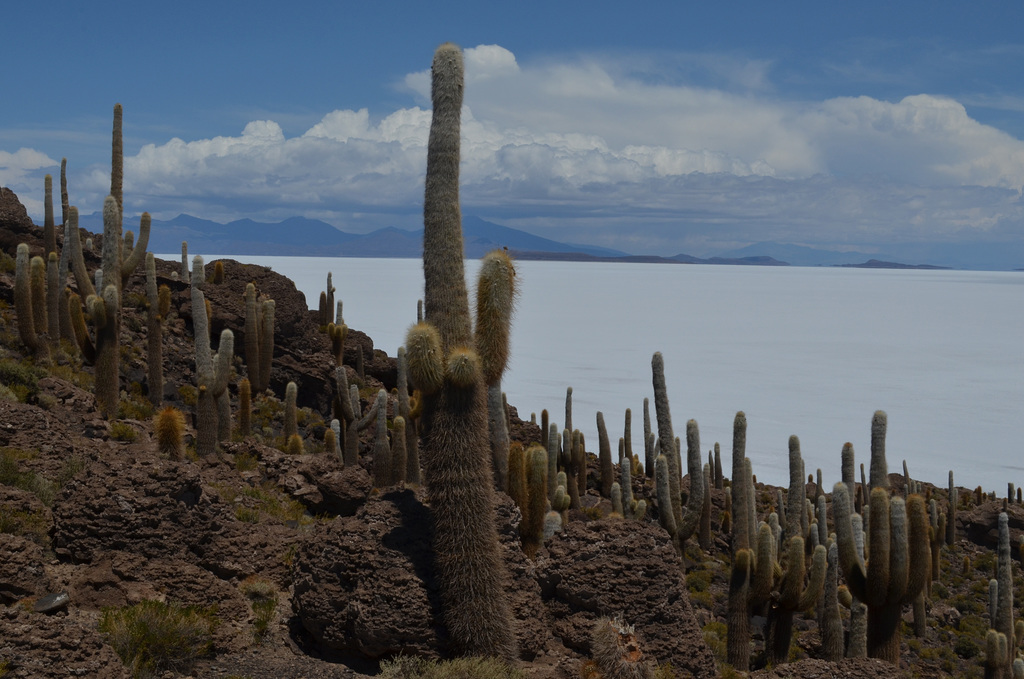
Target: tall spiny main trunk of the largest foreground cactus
x=459, y=481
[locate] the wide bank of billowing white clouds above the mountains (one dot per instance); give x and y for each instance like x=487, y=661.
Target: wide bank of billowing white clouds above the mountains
x=600, y=147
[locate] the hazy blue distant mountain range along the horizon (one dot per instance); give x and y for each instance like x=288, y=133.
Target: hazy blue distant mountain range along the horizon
x=300, y=236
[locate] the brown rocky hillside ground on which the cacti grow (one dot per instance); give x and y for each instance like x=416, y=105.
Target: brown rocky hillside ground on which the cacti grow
x=294, y=565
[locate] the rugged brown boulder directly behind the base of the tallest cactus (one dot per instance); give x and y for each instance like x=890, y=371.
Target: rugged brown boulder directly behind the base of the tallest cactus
x=366, y=584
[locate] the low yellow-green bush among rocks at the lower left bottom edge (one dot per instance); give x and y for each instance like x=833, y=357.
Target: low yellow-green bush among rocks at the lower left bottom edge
x=152, y=638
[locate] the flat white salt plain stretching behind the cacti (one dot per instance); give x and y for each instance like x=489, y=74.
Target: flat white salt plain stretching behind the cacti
x=806, y=352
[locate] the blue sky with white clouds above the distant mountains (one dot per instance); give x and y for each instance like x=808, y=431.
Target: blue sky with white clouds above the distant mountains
x=660, y=130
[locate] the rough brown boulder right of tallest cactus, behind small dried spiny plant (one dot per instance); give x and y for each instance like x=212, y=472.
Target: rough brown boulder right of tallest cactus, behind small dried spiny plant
x=617, y=568
